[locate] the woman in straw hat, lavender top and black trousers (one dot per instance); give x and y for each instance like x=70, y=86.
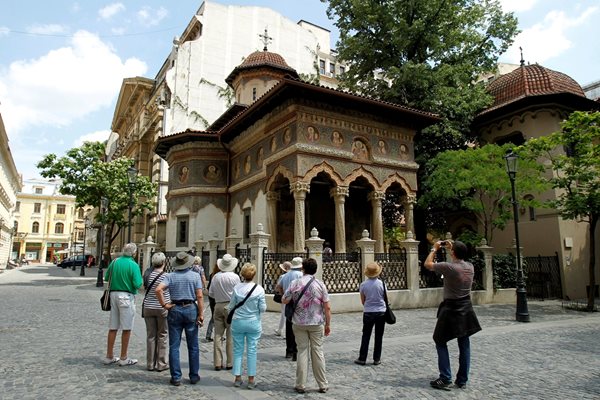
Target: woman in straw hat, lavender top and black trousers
x=372, y=298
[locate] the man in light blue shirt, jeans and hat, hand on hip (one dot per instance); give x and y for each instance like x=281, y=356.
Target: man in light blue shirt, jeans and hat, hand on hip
x=185, y=313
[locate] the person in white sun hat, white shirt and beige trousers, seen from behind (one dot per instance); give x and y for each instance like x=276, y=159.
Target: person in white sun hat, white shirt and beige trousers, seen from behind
x=221, y=289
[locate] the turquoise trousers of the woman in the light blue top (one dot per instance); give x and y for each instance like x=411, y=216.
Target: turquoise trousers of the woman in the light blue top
x=245, y=331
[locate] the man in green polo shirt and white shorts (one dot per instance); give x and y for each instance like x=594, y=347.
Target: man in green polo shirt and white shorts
x=125, y=278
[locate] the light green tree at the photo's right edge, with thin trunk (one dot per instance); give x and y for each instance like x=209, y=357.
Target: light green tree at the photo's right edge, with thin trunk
x=572, y=155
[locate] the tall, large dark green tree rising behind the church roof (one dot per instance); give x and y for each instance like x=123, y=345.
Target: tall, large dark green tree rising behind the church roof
x=425, y=54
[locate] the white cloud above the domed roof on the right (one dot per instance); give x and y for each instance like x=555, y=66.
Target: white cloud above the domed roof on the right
x=547, y=39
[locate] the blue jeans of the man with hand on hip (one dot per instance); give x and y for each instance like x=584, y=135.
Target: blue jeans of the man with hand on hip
x=182, y=318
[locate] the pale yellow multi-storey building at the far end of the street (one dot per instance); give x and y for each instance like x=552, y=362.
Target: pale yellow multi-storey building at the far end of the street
x=48, y=226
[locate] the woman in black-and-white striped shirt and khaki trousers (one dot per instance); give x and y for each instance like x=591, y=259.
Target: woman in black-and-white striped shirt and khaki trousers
x=156, y=316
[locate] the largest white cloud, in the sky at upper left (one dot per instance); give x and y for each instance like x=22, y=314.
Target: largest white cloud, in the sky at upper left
x=66, y=84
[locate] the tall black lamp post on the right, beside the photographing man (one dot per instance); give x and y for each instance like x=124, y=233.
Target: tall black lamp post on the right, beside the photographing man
x=522, y=314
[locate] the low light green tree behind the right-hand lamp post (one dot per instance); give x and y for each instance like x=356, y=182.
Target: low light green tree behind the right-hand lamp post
x=475, y=180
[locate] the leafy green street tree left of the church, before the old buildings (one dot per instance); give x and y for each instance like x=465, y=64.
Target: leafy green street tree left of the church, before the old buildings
x=86, y=176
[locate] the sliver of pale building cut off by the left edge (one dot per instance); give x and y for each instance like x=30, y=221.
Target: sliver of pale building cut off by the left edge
x=10, y=184
